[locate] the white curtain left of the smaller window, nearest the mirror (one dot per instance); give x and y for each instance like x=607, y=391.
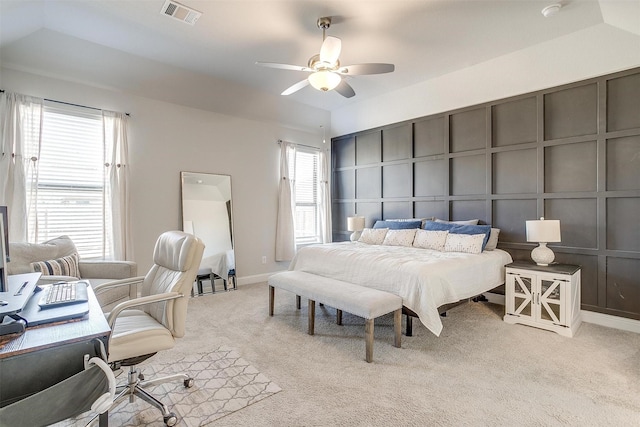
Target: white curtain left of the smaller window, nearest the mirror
x=285, y=230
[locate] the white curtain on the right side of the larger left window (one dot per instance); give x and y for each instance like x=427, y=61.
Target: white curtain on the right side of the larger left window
x=118, y=230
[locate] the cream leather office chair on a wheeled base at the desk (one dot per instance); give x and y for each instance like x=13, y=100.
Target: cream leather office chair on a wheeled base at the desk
x=151, y=322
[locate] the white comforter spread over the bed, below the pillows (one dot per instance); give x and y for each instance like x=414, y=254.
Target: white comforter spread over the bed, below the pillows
x=424, y=278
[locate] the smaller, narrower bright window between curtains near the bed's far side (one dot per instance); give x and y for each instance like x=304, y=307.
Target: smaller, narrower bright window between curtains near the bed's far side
x=303, y=172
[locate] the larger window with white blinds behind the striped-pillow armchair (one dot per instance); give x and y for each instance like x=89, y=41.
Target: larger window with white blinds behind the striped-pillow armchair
x=68, y=191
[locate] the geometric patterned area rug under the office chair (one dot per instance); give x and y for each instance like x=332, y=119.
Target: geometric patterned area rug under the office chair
x=224, y=383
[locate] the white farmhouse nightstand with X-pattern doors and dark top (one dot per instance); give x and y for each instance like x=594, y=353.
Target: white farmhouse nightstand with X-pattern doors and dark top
x=544, y=297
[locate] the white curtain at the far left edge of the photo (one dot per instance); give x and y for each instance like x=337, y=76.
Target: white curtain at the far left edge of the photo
x=20, y=138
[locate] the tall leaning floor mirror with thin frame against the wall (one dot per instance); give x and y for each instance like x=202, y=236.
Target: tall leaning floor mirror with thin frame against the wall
x=207, y=213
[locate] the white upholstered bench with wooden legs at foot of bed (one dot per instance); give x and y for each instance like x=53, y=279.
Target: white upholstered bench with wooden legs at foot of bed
x=361, y=301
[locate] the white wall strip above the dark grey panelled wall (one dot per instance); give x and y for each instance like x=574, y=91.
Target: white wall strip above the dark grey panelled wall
x=593, y=52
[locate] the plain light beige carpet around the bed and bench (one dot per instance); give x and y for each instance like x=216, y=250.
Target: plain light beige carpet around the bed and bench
x=479, y=372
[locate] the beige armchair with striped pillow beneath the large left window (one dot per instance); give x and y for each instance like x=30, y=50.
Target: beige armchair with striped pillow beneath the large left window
x=25, y=256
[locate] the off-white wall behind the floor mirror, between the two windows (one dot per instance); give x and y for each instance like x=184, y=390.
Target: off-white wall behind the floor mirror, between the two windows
x=165, y=139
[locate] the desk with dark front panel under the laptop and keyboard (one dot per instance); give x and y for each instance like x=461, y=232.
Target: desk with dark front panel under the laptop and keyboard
x=47, y=354
